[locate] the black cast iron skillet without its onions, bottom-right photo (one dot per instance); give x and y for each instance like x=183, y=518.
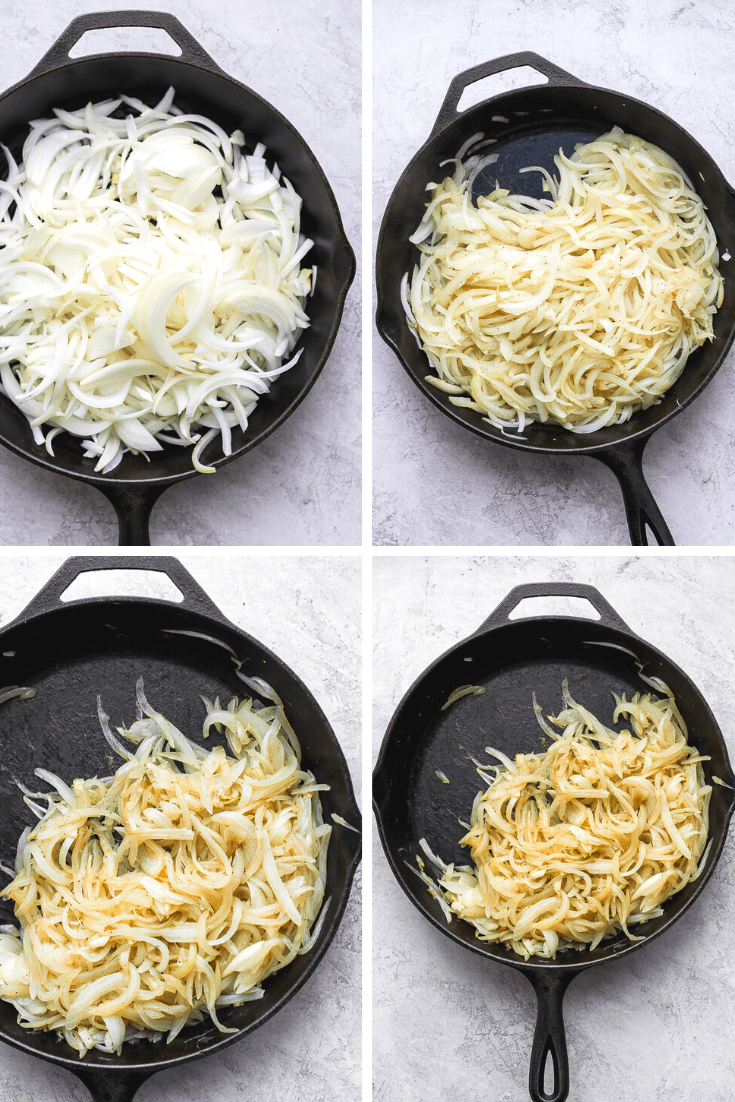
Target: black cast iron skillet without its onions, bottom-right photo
x=514, y=660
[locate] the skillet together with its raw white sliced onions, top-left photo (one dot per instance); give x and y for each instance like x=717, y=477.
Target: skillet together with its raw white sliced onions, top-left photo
x=174, y=267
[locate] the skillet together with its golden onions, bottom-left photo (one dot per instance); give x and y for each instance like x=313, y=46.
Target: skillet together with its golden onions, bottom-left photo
x=110, y=700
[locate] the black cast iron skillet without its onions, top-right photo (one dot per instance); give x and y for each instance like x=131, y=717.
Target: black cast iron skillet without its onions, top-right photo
x=541, y=121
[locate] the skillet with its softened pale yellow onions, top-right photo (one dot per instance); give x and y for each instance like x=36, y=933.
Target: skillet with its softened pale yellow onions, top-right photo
x=512, y=178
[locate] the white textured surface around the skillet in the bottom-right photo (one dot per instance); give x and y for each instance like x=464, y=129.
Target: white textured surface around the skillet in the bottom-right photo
x=651, y=1029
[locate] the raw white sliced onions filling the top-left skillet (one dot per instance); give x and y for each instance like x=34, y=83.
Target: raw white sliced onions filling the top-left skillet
x=150, y=279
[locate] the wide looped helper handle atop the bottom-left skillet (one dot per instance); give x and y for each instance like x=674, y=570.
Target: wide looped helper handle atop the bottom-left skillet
x=50, y=597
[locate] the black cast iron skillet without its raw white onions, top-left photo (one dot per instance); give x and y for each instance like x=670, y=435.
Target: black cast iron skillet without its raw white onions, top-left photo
x=202, y=88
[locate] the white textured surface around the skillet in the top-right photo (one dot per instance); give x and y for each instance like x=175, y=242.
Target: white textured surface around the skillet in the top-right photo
x=436, y=483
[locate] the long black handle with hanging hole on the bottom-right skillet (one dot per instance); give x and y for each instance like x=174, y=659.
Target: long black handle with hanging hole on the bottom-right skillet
x=549, y=1040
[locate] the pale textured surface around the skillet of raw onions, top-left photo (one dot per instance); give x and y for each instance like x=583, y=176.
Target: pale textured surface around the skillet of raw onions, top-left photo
x=302, y=485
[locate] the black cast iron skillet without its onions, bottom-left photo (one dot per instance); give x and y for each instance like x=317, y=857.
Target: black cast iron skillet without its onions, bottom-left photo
x=71, y=652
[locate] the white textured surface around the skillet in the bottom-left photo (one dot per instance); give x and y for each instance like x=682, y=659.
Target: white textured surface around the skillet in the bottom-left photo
x=308, y=611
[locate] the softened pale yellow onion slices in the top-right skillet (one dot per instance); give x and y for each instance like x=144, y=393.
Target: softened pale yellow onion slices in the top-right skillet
x=578, y=310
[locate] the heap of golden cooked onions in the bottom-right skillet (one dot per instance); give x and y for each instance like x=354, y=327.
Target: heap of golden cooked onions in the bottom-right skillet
x=588, y=839
